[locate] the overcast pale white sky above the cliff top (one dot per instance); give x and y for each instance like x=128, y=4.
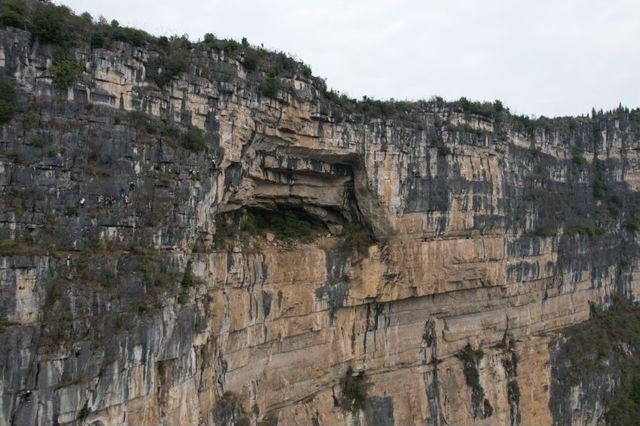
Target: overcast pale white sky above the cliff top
x=541, y=57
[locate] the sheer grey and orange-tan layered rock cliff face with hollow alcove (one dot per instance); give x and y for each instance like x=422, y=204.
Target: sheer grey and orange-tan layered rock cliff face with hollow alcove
x=130, y=296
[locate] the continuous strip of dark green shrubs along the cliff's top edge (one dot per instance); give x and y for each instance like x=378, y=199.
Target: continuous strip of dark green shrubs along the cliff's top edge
x=59, y=25
